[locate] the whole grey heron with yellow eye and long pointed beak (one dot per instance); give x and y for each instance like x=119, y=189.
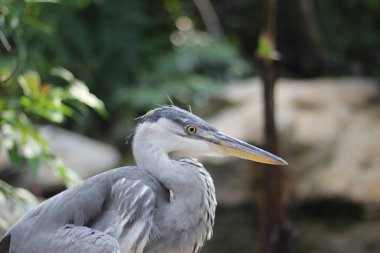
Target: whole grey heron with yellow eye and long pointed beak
x=162, y=205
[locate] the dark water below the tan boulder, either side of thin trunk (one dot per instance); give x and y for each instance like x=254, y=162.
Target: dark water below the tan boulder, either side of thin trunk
x=337, y=231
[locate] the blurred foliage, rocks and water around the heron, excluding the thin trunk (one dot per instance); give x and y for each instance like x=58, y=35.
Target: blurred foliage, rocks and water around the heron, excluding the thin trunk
x=75, y=75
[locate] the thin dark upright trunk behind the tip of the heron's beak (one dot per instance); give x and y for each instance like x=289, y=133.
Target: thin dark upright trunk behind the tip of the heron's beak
x=275, y=233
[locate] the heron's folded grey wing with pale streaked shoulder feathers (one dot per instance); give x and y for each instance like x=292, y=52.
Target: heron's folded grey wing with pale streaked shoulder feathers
x=109, y=213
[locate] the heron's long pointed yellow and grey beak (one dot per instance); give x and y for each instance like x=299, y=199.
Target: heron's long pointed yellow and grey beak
x=229, y=146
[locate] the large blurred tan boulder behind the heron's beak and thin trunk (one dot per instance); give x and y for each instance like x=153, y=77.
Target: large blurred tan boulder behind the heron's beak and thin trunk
x=329, y=131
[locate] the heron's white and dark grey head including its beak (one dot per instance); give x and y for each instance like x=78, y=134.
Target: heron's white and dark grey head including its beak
x=178, y=131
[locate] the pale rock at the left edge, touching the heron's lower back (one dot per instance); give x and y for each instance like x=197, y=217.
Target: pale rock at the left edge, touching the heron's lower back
x=14, y=202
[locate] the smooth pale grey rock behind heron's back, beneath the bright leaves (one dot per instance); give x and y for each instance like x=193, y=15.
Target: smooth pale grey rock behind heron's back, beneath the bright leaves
x=87, y=157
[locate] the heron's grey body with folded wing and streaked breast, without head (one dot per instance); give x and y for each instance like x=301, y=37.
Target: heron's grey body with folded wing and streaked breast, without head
x=146, y=201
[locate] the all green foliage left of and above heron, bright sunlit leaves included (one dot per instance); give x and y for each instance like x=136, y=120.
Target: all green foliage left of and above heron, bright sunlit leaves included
x=132, y=54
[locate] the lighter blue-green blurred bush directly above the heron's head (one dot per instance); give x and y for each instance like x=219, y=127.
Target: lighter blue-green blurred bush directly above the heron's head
x=190, y=73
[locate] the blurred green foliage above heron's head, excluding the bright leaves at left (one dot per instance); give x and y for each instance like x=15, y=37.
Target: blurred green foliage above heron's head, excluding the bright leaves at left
x=126, y=51
